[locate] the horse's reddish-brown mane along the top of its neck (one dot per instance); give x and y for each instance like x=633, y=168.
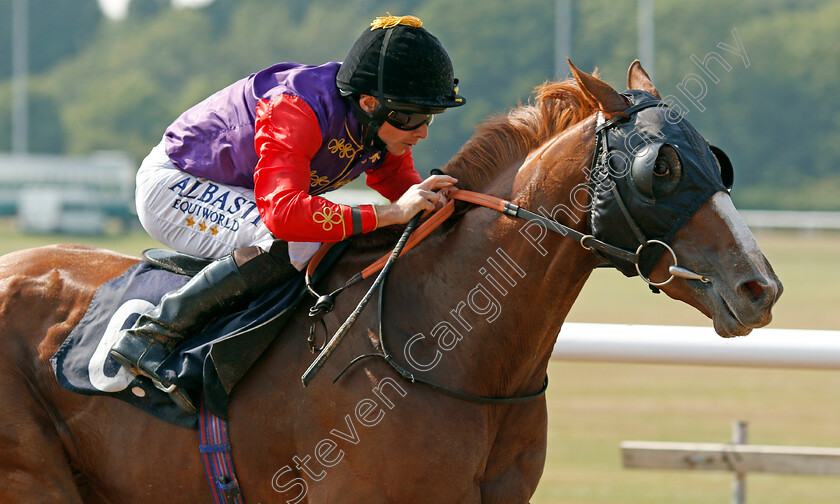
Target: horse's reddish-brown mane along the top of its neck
x=504, y=139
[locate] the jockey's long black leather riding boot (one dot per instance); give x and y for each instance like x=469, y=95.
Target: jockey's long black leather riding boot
x=184, y=312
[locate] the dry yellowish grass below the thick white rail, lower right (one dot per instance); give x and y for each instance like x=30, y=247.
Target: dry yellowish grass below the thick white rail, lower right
x=593, y=407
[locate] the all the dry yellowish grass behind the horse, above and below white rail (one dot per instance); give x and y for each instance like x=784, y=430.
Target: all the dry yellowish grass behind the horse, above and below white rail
x=593, y=407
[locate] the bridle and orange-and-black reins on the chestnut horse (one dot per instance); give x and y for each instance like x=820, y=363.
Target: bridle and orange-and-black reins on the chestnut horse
x=605, y=250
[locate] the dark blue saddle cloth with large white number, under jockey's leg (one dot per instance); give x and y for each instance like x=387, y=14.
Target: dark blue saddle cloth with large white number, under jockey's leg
x=207, y=364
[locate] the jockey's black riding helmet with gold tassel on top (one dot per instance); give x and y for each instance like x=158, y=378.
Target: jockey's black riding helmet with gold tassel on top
x=405, y=67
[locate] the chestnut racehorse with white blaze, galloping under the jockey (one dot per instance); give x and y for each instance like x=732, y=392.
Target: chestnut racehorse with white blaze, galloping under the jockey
x=476, y=306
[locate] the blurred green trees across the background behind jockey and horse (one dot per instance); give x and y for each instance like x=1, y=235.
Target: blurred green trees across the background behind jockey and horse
x=776, y=117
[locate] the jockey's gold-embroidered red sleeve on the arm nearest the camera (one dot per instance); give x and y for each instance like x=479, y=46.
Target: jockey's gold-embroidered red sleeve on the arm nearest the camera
x=287, y=138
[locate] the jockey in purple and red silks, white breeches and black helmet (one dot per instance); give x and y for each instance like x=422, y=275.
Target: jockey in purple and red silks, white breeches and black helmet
x=238, y=177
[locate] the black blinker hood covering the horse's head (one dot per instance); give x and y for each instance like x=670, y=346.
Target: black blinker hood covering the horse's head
x=612, y=186
